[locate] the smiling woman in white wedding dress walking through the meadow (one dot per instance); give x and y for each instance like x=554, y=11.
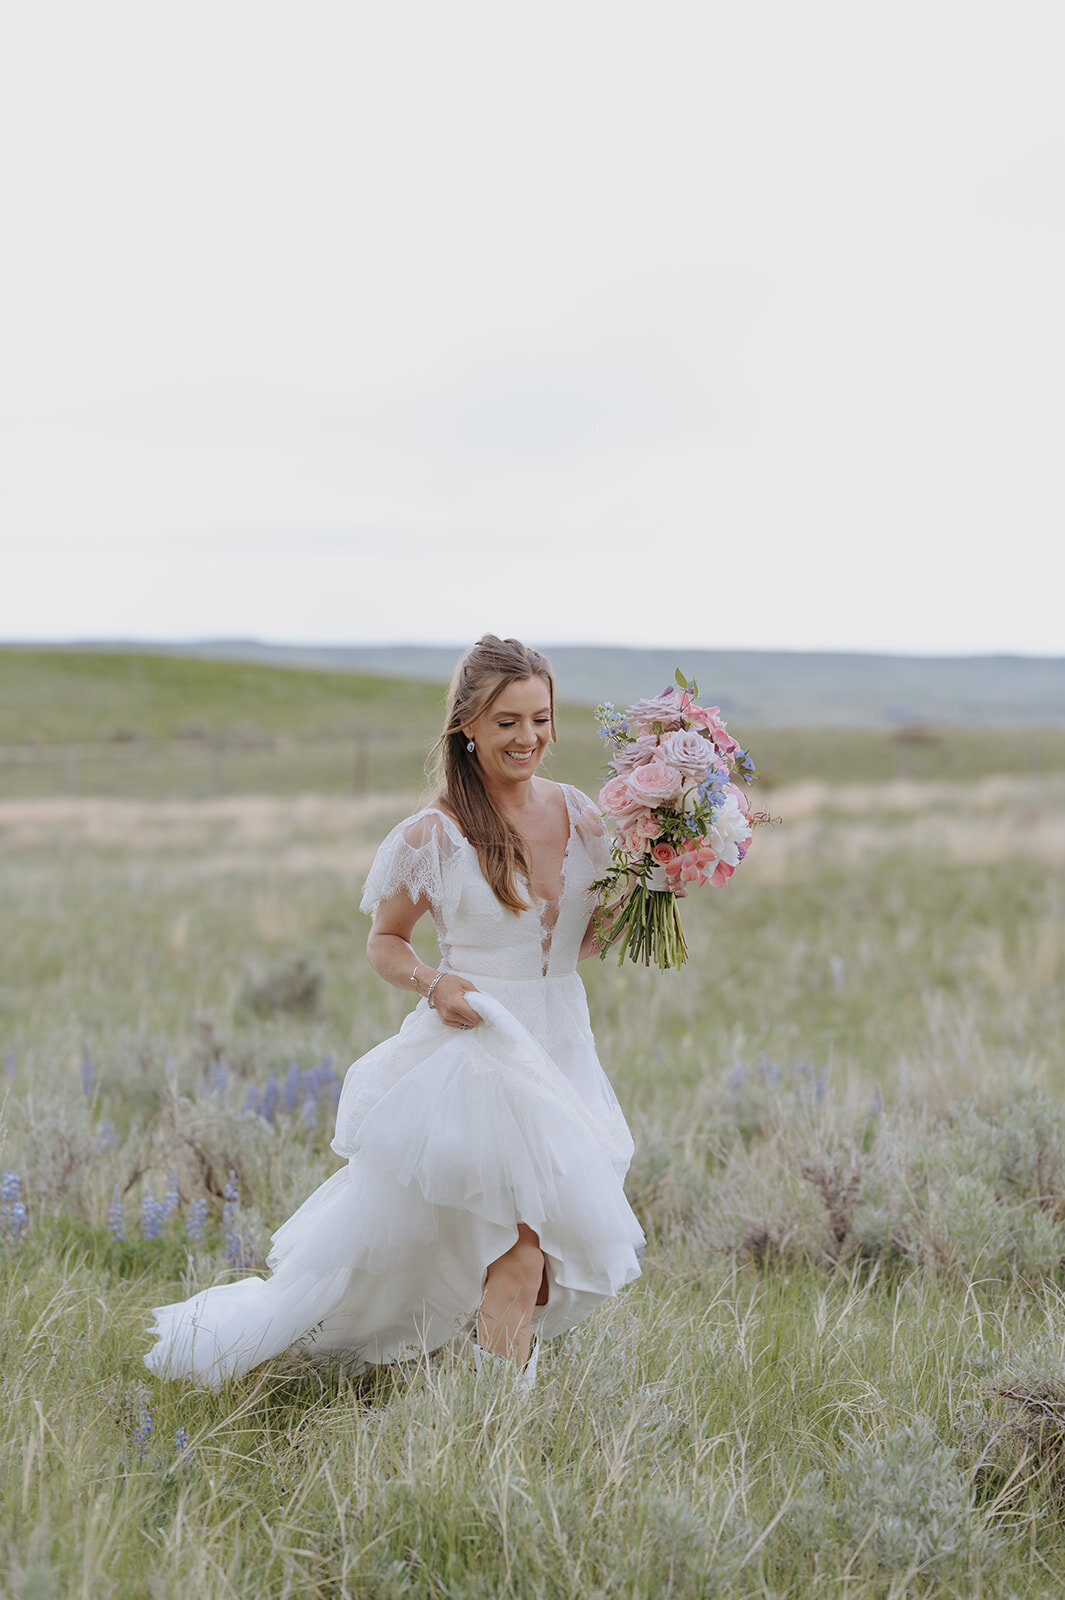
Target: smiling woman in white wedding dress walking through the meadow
x=485, y=1146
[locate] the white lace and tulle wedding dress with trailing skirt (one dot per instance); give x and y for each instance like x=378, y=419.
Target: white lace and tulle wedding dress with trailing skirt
x=452, y=1140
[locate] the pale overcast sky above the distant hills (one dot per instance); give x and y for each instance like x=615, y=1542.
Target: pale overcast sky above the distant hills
x=701, y=324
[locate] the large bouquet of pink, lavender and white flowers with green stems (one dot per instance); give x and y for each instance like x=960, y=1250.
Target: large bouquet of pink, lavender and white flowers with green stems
x=679, y=818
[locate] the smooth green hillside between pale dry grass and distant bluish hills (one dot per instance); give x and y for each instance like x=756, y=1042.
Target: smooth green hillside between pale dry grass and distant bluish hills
x=161, y=727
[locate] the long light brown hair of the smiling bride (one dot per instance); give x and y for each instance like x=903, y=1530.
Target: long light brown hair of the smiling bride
x=481, y=678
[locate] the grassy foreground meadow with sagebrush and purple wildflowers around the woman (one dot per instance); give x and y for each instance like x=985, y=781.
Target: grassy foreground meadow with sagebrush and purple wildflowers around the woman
x=844, y=1369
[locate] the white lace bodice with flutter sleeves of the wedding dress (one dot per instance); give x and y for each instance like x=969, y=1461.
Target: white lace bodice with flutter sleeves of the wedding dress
x=429, y=857
